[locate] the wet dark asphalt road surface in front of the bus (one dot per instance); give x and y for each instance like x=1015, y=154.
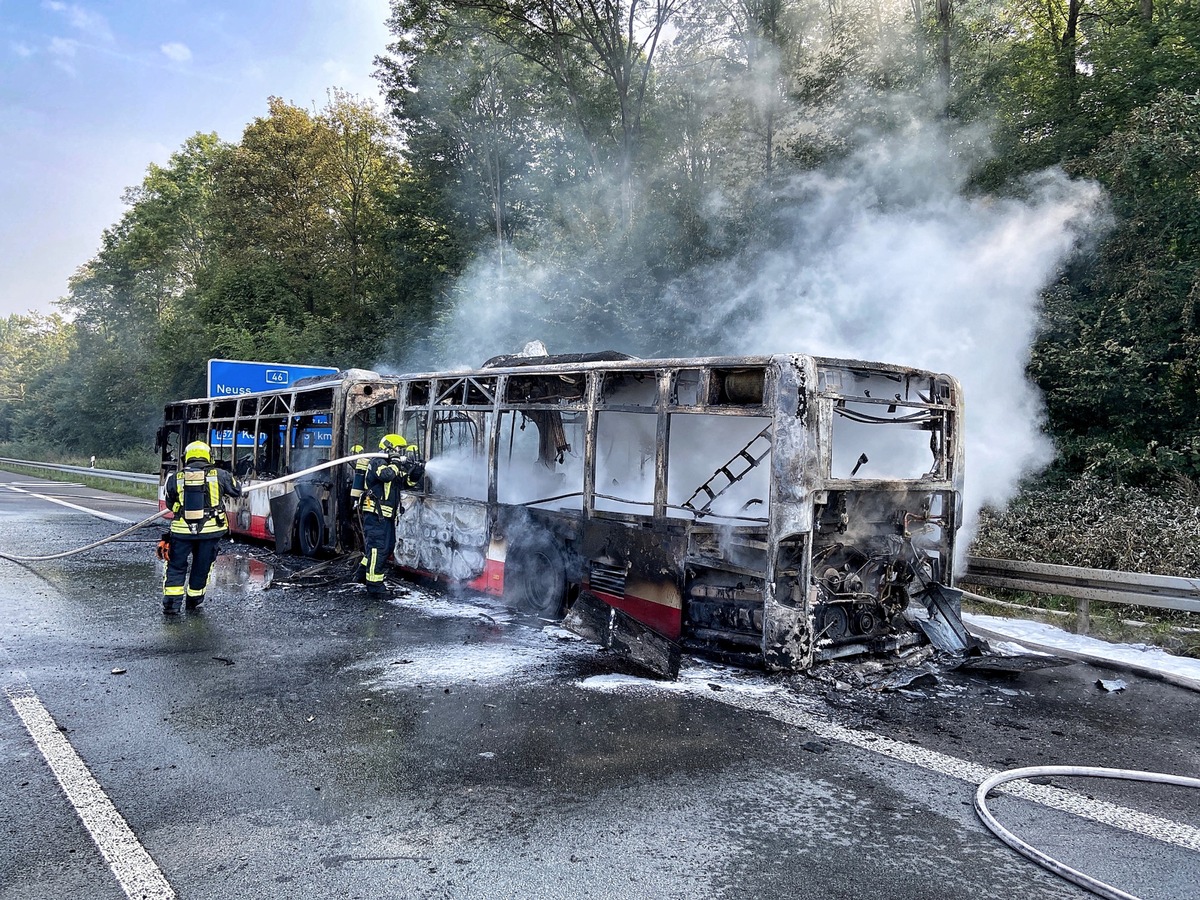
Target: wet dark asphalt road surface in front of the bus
x=298, y=740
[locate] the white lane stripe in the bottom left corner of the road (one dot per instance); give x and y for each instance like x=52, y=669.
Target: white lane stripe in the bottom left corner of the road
x=136, y=872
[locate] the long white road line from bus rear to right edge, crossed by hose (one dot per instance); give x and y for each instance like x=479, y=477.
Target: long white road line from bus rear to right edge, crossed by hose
x=766, y=699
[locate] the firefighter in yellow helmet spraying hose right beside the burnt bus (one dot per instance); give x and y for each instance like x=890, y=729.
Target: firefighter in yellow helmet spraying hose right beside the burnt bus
x=386, y=478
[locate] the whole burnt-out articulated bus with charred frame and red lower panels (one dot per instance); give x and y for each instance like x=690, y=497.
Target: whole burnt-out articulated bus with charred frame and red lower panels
x=772, y=512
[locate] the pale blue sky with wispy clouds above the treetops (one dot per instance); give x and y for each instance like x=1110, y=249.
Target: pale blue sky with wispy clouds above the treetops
x=92, y=93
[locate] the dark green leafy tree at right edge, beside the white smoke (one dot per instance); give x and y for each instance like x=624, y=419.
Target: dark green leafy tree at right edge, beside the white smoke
x=1120, y=369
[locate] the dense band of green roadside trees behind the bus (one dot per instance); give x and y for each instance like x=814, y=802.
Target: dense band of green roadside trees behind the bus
x=583, y=159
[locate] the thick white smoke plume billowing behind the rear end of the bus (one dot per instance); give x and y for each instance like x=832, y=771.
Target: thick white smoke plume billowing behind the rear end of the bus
x=889, y=260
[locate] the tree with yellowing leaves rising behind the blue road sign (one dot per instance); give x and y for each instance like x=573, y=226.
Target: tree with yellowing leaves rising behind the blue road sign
x=304, y=219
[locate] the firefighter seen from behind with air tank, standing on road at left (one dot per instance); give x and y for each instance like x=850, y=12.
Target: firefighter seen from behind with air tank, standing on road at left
x=196, y=496
